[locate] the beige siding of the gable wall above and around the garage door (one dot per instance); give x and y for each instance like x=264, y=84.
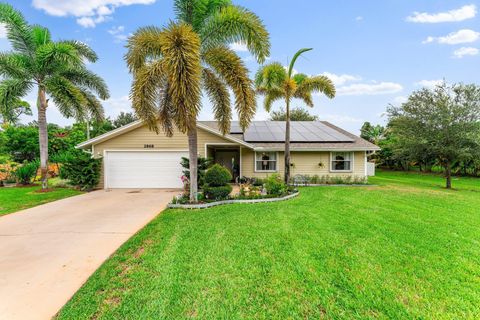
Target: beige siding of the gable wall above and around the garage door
x=137, y=138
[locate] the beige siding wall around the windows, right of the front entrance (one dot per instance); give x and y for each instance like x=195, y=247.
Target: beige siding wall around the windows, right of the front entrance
x=305, y=163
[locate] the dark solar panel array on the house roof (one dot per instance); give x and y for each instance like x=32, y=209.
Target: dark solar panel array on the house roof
x=300, y=131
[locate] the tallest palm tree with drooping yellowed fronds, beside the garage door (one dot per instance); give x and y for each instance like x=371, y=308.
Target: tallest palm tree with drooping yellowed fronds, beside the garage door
x=217, y=24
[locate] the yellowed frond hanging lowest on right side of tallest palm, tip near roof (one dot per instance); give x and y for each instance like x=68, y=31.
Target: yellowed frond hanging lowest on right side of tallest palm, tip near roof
x=233, y=71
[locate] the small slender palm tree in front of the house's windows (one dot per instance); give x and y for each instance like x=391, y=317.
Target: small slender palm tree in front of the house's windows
x=275, y=83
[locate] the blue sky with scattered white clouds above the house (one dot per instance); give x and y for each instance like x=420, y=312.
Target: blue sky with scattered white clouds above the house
x=377, y=52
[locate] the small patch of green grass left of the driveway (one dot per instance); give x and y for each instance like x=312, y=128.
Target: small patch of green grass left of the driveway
x=18, y=198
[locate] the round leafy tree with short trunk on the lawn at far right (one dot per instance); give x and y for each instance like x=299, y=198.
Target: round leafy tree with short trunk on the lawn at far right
x=441, y=123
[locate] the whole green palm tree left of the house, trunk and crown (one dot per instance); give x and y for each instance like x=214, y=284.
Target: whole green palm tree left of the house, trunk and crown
x=56, y=68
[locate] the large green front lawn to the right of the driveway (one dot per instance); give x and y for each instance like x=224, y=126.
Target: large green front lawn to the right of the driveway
x=404, y=249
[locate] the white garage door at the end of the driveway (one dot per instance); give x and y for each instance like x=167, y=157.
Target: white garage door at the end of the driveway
x=143, y=169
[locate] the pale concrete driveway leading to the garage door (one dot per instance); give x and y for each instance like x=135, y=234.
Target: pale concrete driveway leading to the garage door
x=48, y=252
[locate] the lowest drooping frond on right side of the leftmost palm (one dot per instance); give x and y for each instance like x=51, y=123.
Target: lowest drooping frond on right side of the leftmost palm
x=68, y=98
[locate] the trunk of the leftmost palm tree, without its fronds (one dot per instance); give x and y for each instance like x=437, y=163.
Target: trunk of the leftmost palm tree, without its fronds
x=43, y=135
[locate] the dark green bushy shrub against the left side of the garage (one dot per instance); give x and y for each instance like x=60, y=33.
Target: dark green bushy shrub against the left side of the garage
x=81, y=170
